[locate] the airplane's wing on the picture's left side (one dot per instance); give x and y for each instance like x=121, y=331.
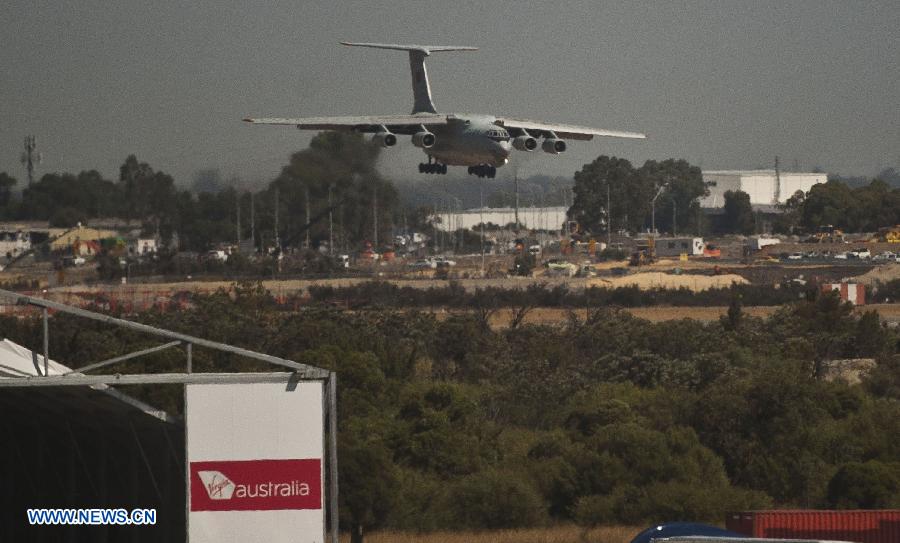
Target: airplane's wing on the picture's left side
x=398, y=124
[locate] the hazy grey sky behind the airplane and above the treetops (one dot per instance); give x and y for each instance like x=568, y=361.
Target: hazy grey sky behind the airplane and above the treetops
x=725, y=85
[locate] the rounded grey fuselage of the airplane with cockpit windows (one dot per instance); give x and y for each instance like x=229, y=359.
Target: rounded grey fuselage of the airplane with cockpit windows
x=470, y=140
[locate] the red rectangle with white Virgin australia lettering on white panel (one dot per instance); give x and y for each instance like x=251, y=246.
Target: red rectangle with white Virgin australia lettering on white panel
x=256, y=485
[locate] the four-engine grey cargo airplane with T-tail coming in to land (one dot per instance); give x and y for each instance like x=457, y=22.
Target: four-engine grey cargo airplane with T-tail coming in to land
x=481, y=142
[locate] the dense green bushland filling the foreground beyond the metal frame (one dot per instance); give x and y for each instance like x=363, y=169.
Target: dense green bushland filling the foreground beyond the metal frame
x=448, y=423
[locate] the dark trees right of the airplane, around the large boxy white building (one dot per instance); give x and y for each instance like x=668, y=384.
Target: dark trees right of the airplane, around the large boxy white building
x=611, y=191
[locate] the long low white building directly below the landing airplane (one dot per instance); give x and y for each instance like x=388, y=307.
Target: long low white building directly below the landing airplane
x=531, y=218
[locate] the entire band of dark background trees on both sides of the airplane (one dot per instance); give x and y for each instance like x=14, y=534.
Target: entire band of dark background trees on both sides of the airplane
x=336, y=178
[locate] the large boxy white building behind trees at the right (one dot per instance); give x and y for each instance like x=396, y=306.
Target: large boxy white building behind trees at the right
x=765, y=187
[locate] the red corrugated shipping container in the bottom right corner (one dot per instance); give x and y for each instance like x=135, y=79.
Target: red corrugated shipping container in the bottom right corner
x=860, y=526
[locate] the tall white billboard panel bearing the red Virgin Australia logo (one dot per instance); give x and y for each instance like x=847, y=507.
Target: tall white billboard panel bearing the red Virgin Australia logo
x=255, y=462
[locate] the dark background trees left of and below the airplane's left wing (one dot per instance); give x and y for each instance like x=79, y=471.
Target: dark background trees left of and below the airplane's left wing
x=336, y=173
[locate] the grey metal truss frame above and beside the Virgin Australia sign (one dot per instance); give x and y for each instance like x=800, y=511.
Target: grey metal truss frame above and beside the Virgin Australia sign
x=77, y=377
